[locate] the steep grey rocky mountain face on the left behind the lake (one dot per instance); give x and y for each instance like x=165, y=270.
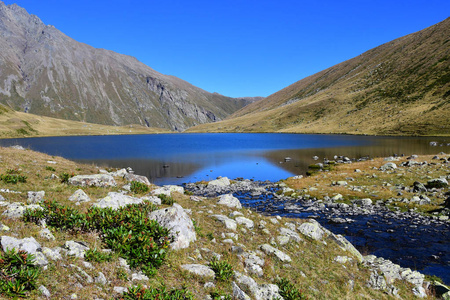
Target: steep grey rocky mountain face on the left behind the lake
x=45, y=72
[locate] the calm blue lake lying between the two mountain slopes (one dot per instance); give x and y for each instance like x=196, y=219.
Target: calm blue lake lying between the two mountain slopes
x=183, y=158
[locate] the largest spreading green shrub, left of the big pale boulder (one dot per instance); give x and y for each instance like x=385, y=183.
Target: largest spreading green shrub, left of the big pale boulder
x=127, y=230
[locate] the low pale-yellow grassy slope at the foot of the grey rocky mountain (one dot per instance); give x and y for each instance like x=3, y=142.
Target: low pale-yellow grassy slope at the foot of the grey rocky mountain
x=17, y=124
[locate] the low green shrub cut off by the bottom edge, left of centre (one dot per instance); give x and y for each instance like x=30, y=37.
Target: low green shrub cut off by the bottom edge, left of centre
x=141, y=293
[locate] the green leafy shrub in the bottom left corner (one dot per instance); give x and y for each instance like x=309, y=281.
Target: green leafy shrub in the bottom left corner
x=18, y=273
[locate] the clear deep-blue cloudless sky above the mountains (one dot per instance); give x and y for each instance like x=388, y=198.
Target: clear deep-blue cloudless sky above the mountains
x=238, y=47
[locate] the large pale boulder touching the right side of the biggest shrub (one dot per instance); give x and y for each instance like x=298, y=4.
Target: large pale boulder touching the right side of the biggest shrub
x=178, y=222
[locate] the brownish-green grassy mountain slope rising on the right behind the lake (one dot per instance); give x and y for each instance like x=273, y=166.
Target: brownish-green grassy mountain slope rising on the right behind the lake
x=401, y=87
